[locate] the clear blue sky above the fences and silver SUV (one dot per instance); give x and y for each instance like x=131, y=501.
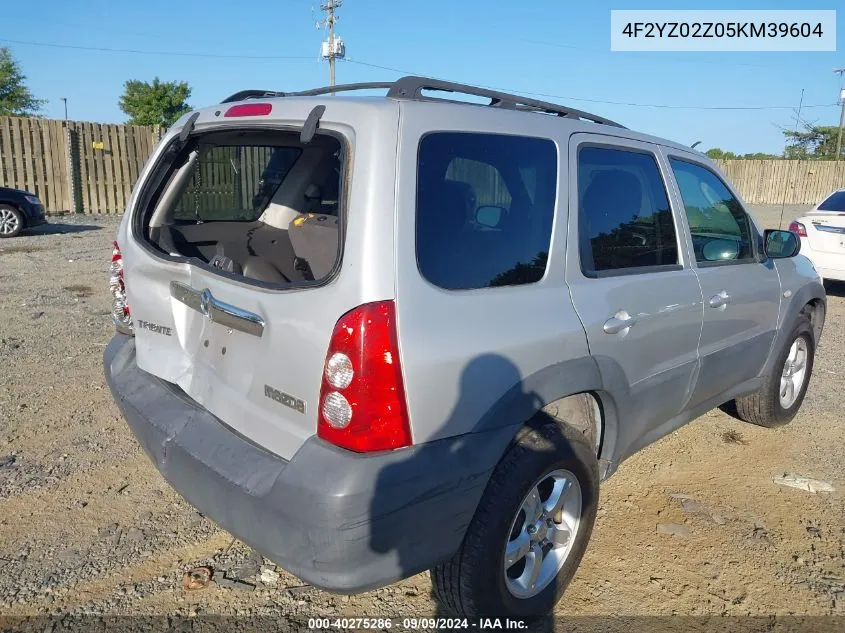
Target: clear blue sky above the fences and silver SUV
x=558, y=50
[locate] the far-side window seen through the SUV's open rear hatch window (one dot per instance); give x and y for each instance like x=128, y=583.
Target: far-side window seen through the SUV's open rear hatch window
x=234, y=183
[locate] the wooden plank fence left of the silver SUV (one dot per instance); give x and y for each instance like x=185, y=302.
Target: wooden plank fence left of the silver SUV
x=74, y=166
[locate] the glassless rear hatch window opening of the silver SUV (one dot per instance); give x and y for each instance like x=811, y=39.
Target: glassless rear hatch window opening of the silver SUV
x=253, y=203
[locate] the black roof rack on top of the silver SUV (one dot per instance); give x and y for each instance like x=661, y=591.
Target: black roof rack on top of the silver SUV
x=413, y=88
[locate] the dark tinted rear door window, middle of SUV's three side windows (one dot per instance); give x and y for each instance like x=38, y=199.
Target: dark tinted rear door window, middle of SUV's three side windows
x=625, y=222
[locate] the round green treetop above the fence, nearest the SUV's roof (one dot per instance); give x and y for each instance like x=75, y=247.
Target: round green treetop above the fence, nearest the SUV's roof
x=156, y=103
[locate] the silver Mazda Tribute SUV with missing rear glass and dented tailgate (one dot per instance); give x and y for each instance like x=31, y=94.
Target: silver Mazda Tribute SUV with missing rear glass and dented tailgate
x=376, y=335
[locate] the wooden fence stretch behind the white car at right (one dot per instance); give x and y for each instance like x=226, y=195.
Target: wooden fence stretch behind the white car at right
x=784, y=181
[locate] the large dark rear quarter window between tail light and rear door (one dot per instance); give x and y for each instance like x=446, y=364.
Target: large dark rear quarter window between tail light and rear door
x=485, y=209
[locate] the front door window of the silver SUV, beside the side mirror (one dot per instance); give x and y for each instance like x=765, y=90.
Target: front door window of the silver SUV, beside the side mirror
x=721, y=230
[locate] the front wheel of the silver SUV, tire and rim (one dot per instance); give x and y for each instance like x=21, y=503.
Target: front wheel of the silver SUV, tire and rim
x=783, y=390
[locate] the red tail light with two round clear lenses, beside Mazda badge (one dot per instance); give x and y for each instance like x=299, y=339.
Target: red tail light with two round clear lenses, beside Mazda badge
x=362, y=398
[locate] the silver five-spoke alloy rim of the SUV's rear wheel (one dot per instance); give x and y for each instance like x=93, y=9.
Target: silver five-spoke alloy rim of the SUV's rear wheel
x=542, y=533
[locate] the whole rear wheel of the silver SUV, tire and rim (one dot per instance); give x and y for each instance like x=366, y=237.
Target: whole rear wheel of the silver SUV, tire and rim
x=529, y=532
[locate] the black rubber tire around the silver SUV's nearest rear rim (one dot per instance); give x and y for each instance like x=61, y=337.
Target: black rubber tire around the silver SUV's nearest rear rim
x=472, y=583
